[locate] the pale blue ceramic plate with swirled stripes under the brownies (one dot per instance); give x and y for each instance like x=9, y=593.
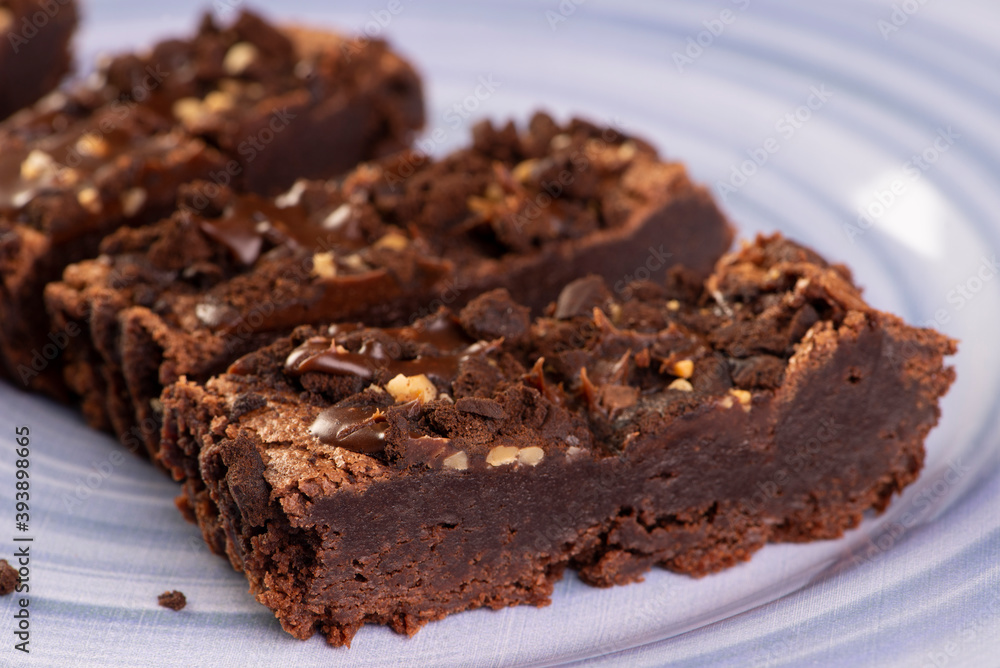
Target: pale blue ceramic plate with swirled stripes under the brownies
x=869, y=130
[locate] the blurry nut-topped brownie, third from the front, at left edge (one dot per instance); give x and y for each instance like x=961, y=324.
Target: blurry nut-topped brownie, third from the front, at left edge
x=249, y=106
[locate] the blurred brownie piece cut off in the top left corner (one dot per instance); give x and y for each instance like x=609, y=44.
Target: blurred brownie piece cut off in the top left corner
x=36, y=53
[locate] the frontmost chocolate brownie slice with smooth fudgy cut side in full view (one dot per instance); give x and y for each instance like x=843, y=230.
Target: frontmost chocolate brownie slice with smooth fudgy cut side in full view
x=395, y=476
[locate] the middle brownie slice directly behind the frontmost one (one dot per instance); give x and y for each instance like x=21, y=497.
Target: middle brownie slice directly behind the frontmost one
x=387, y=243
